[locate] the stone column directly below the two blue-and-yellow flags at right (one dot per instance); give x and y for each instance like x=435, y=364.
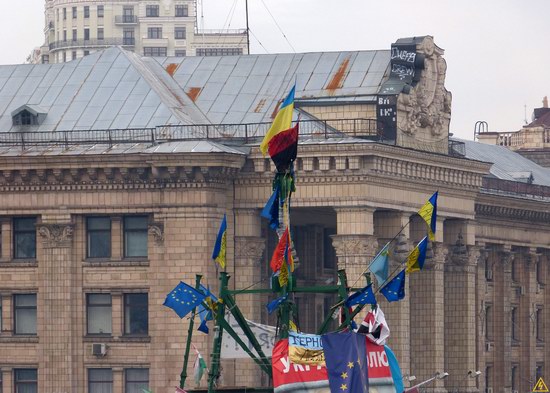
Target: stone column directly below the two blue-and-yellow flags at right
x=427, y=307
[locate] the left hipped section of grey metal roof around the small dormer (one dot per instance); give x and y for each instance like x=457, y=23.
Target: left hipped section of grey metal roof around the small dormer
x=107, y=90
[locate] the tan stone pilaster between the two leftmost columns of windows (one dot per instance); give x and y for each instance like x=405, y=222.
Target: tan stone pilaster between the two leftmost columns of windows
x=57, y=306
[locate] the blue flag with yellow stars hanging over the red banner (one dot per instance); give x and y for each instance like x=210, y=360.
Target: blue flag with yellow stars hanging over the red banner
x=346, y=362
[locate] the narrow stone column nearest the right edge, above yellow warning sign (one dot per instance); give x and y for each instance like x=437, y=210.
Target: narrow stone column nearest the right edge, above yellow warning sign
x=527, y=314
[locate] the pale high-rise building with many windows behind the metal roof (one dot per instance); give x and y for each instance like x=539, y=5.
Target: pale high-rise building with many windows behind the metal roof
x=76, y=28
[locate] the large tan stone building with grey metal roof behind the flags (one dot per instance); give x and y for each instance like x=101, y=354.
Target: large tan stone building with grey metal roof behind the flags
x=116, y=171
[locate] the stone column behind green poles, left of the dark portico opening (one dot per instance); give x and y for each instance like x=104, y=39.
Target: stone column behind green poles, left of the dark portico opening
x=249, y=248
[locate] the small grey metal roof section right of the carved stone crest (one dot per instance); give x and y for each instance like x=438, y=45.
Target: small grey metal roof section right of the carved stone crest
x=506, y=163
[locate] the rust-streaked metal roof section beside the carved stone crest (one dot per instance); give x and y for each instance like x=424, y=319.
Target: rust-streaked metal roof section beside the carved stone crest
x=248, y=88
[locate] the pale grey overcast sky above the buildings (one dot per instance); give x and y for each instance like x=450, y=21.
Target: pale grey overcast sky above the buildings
x=497, y=51
